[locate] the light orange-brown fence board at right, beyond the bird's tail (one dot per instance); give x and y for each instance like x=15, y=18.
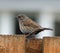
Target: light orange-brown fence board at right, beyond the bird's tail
x=51, y=45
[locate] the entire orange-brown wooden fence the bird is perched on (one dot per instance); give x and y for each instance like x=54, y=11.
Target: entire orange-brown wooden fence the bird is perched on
x=17, y=44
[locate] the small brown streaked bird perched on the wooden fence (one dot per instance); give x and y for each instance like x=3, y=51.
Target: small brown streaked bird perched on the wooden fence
x=28, y=26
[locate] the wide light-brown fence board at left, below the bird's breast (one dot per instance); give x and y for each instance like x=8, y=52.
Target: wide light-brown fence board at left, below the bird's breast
x=12, y=44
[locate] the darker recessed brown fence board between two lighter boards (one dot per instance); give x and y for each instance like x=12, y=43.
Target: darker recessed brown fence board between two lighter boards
x=34, y=46
